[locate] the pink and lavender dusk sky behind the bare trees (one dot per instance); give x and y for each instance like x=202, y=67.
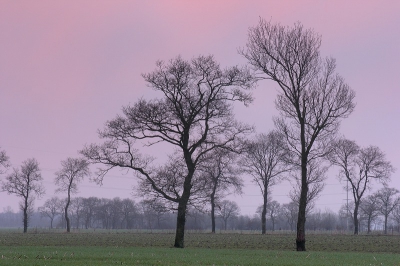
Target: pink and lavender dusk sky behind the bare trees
x=66, y=67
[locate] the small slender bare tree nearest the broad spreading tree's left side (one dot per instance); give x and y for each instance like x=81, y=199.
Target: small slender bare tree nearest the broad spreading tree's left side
x=67, y=179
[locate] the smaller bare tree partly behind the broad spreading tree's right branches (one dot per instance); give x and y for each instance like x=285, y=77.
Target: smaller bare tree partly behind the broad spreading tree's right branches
x=221, y=173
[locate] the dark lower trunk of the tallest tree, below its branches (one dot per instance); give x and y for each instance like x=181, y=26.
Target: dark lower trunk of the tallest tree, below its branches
x=301, y=221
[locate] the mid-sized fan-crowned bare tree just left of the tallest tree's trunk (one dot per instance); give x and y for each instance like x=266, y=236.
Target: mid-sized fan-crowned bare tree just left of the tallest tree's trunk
x=266, y=159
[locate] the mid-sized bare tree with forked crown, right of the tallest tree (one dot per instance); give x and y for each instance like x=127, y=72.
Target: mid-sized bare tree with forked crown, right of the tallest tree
x=359, y=167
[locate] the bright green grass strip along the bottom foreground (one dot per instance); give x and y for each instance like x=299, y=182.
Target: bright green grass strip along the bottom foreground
x=189, y=256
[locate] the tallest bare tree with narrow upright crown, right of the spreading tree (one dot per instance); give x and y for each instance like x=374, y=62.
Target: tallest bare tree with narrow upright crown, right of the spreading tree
x=313, y=98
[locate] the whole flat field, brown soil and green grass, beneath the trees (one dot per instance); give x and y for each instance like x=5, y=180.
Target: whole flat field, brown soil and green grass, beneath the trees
x=138, y=248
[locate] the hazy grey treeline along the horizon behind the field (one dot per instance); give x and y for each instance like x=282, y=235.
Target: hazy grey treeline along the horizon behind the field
x=117, y=213
